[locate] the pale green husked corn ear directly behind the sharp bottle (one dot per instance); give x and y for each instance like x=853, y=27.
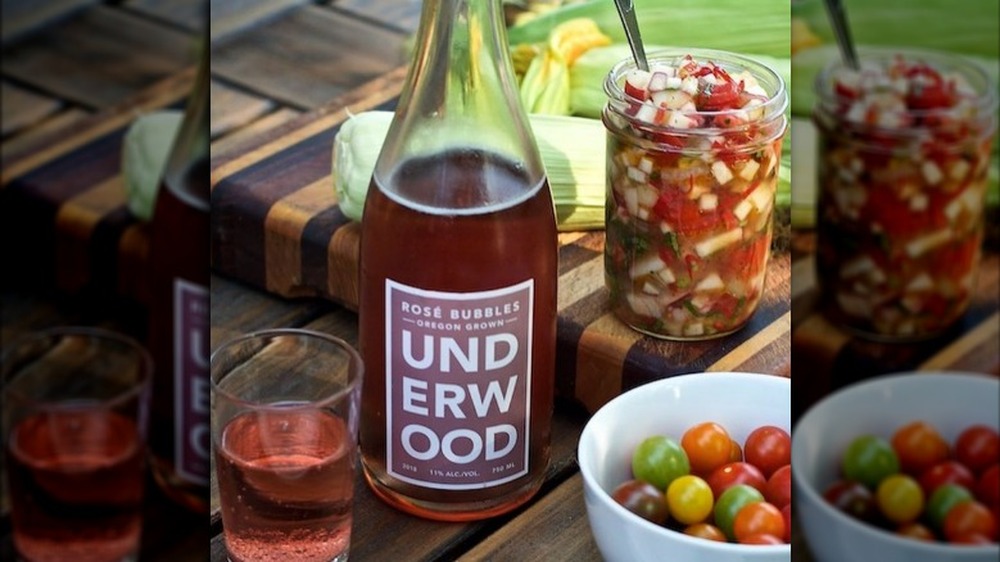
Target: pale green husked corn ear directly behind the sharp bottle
x=572, y=150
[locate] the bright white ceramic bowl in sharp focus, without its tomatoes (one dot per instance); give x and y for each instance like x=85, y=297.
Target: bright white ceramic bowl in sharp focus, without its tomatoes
x=741, y=402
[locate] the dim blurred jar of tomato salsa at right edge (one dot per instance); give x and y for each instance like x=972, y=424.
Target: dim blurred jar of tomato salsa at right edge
x=904, y=152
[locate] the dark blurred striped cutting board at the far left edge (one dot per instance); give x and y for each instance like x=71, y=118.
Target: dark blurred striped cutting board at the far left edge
x=64, y=222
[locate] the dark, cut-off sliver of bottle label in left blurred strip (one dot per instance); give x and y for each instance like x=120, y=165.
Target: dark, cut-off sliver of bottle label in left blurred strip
x=192, y=435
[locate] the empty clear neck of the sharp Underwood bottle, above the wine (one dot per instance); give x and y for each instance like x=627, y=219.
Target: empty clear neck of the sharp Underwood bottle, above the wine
x=461, y=91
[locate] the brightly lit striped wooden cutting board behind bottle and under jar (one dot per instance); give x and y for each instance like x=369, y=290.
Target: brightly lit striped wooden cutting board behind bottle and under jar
x=276, y=226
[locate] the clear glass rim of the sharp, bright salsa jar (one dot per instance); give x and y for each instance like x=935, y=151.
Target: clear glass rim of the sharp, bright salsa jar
x=773, y=107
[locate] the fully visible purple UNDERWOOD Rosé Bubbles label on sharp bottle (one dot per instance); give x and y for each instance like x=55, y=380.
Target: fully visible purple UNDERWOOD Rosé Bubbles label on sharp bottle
x=457, y=378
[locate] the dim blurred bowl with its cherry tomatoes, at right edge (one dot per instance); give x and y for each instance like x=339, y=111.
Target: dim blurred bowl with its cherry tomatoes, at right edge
x=901, y=468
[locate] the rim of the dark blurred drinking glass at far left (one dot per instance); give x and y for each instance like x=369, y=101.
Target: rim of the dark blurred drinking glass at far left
x=136, y=388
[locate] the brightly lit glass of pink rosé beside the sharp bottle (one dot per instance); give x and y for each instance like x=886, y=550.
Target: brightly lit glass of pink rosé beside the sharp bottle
x=284, y=427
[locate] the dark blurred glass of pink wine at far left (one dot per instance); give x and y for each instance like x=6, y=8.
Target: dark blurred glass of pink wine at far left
x=75, y=405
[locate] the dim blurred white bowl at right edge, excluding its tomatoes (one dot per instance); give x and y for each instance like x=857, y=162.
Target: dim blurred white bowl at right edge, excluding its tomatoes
x=948, y=401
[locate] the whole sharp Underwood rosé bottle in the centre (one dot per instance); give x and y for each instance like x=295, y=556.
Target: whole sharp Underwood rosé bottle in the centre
x=458, y=282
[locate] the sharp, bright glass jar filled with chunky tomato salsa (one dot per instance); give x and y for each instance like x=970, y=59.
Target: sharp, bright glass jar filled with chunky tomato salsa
x=692, y=168
